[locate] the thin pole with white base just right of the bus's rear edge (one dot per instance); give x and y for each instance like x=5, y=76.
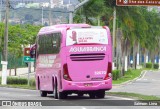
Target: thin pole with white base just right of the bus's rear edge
x=113, y=37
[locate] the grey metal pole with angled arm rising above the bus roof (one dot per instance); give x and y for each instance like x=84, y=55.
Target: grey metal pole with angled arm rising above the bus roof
x=72, y=9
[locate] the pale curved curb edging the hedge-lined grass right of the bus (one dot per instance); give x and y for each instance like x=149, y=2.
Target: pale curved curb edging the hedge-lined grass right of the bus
x=130, y=81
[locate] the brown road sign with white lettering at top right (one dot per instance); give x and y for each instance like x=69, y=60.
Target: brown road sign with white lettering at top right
x=138, y=2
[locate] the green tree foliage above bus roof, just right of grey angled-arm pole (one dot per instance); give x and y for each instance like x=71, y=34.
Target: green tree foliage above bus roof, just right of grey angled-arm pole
x=90, y=11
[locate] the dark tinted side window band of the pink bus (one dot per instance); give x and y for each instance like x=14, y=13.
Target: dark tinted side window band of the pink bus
x=49, y=43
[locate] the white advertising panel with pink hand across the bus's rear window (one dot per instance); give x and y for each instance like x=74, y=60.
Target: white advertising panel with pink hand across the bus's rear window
x=86, y=36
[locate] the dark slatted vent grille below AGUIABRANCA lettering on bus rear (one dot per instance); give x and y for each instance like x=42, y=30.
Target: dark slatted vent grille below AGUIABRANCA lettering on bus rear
x=87, y=57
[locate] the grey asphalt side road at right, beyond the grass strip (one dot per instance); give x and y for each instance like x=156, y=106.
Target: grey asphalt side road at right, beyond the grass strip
x=148, y=84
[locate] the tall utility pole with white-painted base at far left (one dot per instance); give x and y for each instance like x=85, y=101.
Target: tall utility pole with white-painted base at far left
x=5, y=49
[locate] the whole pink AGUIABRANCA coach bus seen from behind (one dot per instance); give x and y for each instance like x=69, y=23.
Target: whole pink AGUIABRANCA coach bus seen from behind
x=73, y=58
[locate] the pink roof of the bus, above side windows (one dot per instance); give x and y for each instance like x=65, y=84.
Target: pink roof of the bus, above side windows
x=59, y=27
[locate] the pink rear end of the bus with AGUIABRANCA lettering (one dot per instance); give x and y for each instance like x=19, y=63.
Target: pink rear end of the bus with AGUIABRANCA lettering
x=87, y=63
